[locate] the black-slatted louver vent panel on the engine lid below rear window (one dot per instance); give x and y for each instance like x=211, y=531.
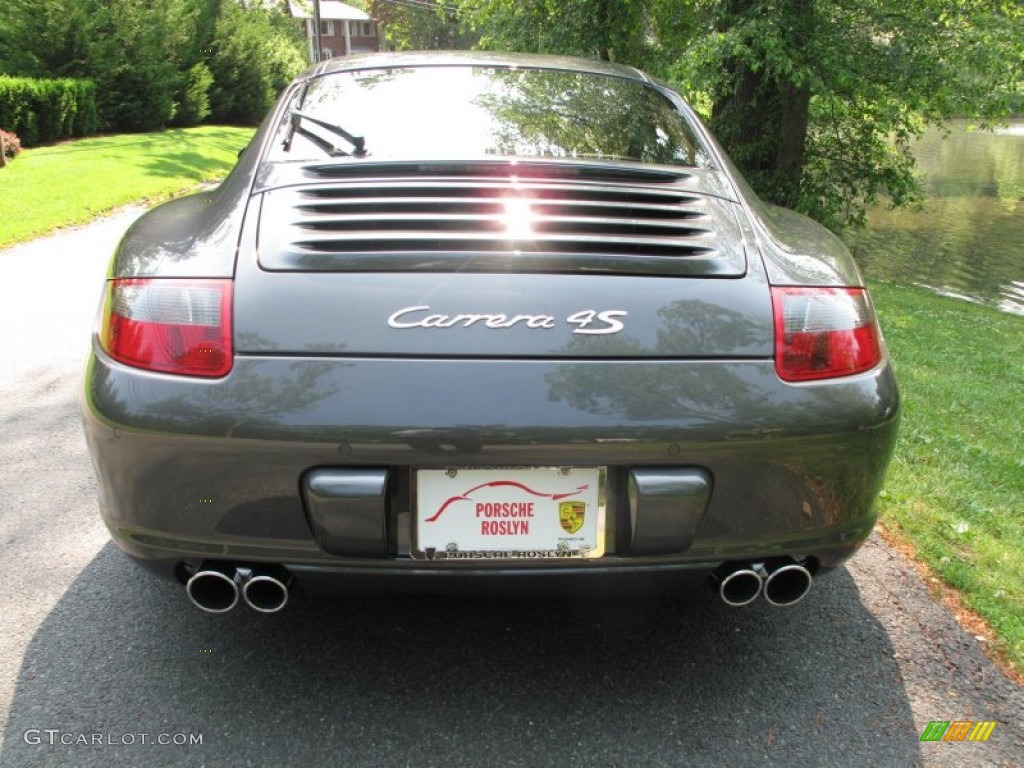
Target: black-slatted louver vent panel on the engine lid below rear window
x=487, y=223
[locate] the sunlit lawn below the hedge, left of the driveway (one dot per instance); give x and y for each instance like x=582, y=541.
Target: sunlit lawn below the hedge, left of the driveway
x=71, y=183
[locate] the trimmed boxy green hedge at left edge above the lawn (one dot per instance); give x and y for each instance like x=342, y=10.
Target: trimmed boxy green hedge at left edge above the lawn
x=40, y=111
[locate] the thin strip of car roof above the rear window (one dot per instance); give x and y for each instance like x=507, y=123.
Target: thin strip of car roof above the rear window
x=475, y=59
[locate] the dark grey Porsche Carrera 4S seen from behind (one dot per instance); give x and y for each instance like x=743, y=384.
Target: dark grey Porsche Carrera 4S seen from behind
x=478, y=321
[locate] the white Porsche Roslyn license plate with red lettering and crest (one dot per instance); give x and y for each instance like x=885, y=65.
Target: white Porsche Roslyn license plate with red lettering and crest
x=534, y=515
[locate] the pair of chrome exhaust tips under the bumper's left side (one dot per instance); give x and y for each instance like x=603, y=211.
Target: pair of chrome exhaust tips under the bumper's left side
x=217, y=589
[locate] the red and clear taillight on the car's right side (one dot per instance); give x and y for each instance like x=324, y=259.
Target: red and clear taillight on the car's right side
x=822, y=333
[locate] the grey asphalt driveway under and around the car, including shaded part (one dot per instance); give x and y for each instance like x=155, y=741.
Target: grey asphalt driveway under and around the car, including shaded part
x=102, y=665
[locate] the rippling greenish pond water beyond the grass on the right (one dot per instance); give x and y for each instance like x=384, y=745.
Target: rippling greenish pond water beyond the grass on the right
x=968, y=240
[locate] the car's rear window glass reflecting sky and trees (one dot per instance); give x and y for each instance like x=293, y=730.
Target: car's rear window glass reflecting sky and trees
x=462, y=113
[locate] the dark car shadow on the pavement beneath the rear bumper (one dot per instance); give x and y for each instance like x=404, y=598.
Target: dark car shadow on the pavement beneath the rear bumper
x=124, y=661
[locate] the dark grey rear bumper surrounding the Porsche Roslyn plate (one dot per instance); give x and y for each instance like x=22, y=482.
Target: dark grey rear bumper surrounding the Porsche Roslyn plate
x=214, y=471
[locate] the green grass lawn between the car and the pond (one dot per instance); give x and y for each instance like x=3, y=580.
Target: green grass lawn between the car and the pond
x=956, y=489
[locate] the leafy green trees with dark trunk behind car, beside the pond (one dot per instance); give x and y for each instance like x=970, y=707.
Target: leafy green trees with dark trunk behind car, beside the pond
x=817, y=101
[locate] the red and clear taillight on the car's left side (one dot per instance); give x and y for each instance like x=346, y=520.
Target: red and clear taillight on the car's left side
x=173, y=326
